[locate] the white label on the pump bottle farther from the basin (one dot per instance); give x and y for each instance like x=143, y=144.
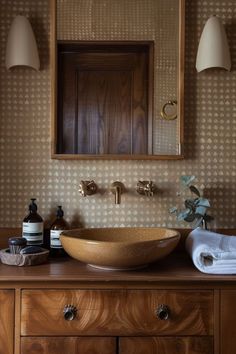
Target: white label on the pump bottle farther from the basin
x=33, y=232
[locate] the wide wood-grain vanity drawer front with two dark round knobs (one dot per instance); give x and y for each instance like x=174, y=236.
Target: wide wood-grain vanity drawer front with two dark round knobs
x=117, y=312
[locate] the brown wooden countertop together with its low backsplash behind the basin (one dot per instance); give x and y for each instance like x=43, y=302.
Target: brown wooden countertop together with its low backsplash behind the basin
x=175, y=270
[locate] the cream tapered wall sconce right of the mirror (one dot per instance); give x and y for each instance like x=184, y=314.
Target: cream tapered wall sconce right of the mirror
x=213, y=49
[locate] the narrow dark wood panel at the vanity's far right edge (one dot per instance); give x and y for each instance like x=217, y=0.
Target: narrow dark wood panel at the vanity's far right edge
x=228, y=321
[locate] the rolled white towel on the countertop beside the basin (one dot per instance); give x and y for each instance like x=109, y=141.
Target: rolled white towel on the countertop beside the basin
x=211, y=252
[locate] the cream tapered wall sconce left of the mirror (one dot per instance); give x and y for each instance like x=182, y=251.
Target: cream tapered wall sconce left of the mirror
x=21, y=47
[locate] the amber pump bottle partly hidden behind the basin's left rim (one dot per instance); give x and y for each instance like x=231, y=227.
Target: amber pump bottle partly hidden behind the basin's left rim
x=59, y=225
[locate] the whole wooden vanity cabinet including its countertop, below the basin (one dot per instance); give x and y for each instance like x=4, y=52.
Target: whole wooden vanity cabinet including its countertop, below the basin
x=117, y=312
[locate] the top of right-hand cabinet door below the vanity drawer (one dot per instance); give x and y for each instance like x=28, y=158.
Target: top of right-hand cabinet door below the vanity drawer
x=161, y=345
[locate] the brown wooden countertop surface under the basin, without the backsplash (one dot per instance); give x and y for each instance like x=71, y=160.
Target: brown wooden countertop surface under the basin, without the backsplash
x=176, y=268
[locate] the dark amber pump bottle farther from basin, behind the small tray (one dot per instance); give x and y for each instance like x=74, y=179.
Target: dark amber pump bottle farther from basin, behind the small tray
x=32, y=227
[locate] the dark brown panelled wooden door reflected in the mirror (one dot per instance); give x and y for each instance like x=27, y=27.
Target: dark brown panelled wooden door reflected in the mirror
x=103, y=98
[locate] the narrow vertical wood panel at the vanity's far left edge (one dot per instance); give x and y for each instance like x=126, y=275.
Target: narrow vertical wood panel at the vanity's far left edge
x=6, y=321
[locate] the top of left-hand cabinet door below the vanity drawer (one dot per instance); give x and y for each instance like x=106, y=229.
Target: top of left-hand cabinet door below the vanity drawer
x=72, y=345
